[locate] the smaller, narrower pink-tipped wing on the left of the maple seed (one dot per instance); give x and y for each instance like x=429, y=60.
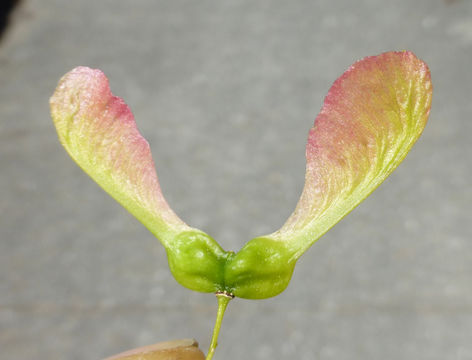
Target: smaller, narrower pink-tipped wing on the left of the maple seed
x=99, y=132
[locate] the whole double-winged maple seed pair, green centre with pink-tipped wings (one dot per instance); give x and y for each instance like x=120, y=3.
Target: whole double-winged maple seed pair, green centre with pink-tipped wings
x=371, y=117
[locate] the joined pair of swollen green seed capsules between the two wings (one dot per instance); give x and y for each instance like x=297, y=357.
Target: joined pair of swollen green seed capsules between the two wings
x=261, y=269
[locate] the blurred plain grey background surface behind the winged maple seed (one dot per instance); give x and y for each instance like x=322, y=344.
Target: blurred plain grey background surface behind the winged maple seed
x=225, y=92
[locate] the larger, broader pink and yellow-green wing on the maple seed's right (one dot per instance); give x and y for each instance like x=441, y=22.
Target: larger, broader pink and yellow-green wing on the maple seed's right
x=371, y=117
